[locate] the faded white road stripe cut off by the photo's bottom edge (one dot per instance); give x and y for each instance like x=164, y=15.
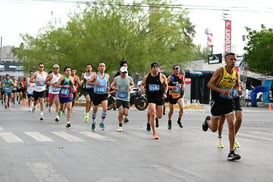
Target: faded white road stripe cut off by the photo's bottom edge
x=45, y=172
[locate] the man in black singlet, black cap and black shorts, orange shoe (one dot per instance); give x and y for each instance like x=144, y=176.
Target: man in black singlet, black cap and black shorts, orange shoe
x=156, y=86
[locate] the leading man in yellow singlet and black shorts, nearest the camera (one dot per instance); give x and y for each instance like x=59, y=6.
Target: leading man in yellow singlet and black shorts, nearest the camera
x=221, y=84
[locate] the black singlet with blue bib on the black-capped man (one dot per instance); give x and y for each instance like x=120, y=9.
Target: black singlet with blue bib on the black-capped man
x=154, y=87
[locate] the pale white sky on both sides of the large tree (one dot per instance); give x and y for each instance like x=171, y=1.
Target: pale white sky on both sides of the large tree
x=19, y=17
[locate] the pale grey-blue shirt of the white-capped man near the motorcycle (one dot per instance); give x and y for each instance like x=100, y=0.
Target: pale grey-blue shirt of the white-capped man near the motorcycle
x=123, y=85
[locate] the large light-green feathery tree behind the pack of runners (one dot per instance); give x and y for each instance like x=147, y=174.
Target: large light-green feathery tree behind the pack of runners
x=110, y=31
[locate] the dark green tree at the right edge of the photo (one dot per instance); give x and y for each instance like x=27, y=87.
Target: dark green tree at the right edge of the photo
x=259, y=50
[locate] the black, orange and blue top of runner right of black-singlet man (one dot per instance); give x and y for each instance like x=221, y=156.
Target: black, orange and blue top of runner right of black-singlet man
x=176, y=81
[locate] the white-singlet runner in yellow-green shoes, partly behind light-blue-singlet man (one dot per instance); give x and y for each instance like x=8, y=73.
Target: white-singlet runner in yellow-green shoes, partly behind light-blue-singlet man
x=88, y=90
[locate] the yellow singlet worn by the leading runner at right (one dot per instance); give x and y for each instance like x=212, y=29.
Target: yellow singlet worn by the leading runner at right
x=227, y=81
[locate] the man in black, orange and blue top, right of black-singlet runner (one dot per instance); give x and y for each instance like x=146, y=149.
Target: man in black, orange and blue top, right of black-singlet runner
x=176, y=85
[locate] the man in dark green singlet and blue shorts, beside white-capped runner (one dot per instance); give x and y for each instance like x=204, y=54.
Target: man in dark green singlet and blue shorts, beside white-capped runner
x=66, y=85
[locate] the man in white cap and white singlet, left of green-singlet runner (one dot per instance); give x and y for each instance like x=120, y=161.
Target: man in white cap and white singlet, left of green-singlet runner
x=53, y=92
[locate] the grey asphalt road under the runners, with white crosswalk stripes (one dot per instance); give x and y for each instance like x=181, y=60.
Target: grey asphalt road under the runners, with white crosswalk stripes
x=32, y=150
